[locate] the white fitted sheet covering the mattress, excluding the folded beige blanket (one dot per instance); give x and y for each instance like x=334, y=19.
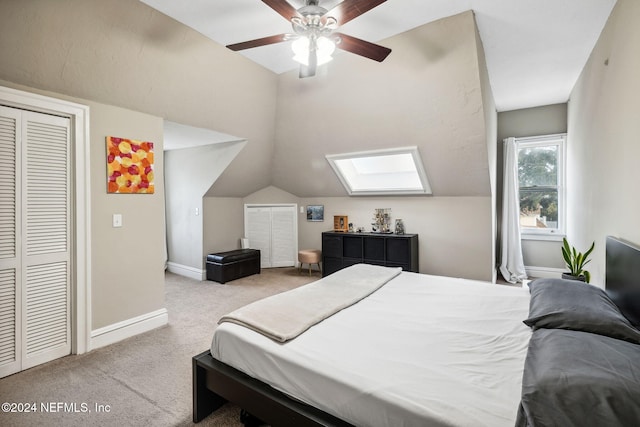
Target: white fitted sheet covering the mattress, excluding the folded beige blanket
x=421, y=351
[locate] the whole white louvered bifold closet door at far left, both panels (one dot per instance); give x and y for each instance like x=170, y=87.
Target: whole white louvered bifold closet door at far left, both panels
x=35, y=224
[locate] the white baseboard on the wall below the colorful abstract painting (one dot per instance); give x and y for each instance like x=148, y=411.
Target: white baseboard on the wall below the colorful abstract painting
x=128, y=328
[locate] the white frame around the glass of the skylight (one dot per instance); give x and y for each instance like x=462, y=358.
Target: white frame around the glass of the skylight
x=352, y=190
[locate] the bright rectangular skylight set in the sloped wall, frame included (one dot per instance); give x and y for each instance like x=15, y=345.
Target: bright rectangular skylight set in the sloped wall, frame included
x=396, y=171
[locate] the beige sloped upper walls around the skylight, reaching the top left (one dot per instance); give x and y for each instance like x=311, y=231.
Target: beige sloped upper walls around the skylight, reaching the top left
x=123, y=53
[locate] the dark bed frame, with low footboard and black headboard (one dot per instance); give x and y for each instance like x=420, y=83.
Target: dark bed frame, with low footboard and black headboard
x=215, y=383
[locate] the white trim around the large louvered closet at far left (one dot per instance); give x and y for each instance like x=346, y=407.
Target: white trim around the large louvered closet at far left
x=79, y=114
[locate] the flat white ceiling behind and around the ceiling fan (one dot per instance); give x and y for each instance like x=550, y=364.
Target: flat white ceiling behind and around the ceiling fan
x=535, y=49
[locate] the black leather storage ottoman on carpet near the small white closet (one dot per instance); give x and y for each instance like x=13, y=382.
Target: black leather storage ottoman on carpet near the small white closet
x=226, y=266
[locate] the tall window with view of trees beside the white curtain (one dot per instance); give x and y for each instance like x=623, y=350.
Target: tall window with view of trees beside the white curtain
x=541, y=185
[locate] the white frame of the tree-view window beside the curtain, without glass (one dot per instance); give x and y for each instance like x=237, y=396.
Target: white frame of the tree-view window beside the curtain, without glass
x=560, y=140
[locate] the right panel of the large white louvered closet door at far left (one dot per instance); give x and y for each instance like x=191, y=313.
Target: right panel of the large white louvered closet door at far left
x=46, y=325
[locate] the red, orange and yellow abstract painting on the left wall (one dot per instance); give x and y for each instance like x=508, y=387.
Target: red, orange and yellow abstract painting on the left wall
x=129, y=166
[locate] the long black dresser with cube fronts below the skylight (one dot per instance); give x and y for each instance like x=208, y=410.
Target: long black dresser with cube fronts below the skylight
x=340, y=250
